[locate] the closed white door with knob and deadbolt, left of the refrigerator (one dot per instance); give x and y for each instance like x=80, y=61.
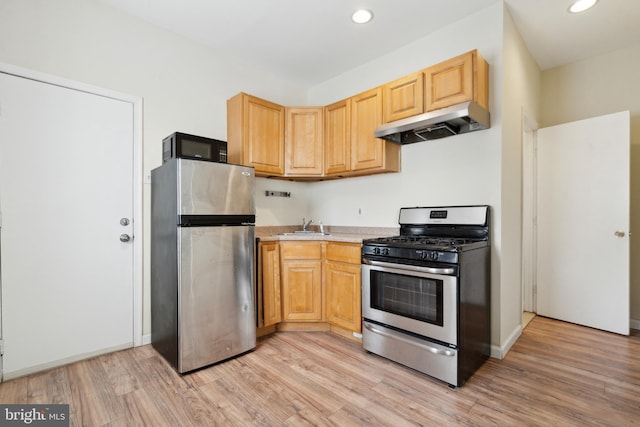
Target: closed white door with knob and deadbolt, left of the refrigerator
x=66, y=181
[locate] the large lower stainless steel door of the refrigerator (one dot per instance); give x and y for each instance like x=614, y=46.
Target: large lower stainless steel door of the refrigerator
x=216, y=318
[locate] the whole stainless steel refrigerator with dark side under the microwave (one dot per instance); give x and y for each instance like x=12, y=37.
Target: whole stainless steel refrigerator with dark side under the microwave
x=202, y=262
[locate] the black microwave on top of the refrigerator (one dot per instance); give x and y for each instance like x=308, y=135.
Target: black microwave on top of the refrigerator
x=184, y=146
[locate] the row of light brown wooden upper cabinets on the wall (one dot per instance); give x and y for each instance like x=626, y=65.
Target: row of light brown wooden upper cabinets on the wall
x=315, y=143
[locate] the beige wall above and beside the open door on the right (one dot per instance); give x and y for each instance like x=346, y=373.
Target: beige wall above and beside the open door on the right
x=593, y=87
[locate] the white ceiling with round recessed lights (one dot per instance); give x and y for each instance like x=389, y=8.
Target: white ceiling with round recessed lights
x=314, y=40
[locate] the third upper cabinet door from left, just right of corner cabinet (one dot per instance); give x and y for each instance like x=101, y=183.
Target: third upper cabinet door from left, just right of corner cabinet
x=337, y=134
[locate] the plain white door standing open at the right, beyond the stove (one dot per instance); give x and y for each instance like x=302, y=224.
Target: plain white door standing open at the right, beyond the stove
x=583, y=222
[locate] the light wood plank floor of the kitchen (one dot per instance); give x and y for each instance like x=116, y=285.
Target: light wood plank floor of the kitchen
x=557, y=374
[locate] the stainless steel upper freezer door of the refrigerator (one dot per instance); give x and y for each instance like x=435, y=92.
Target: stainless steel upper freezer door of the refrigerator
x=206, y=188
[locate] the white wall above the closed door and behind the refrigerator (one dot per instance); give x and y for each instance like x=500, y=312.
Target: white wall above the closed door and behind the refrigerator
x=184, y=85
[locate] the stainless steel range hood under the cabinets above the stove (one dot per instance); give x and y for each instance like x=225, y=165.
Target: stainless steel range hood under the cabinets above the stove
x=459, y=118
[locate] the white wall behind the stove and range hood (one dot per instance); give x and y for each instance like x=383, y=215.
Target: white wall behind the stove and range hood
x=465, y=169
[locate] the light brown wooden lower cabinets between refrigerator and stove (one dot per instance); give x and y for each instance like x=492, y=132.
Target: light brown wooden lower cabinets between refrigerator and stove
x=309, y=283
